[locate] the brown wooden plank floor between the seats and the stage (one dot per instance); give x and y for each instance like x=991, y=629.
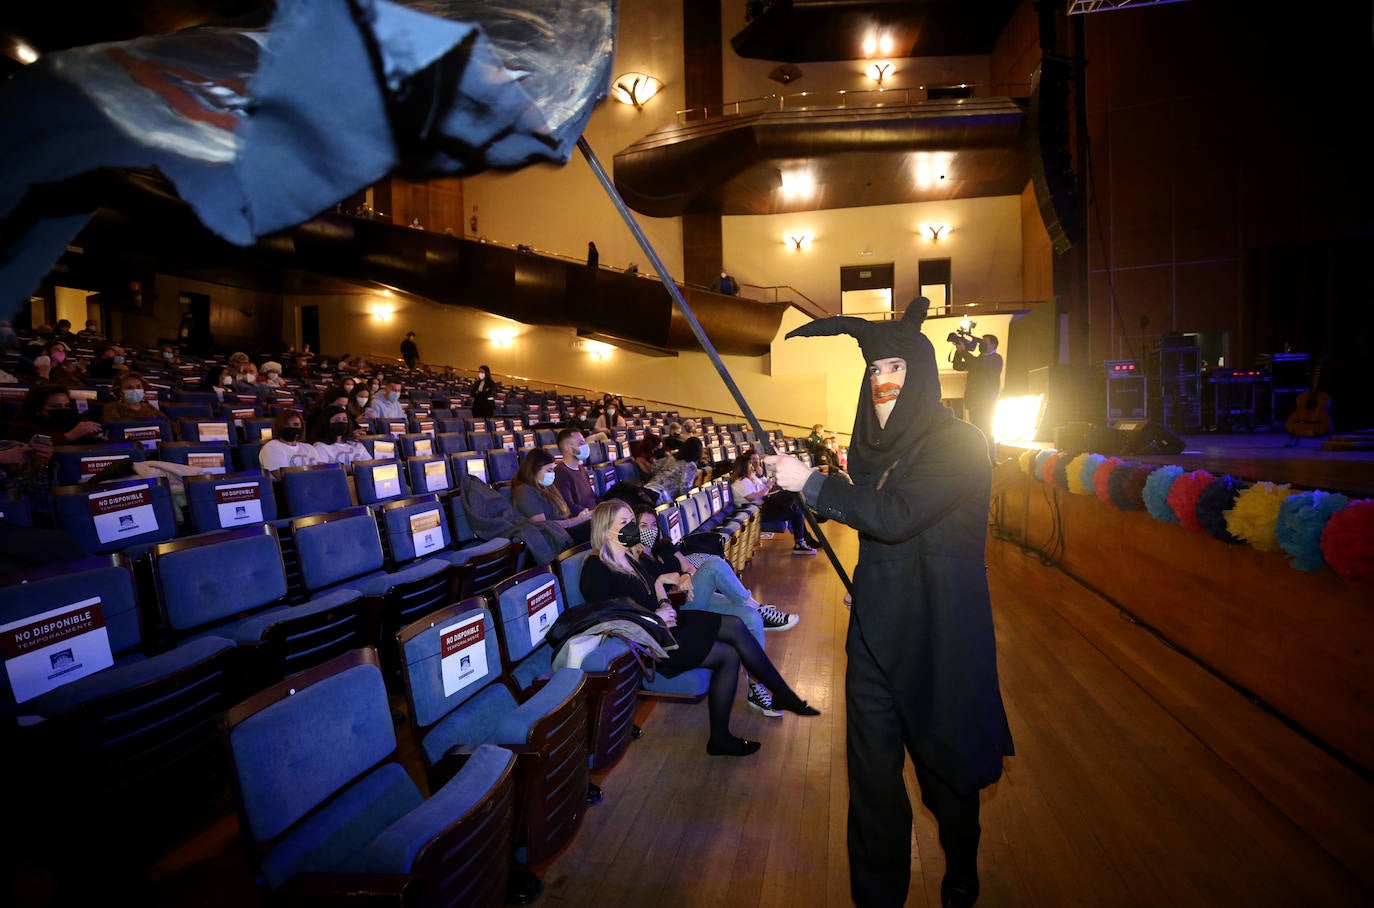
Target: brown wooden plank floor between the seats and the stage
x=1130, y=785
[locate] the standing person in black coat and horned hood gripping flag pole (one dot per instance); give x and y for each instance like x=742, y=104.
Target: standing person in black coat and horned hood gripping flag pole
x=923, y=671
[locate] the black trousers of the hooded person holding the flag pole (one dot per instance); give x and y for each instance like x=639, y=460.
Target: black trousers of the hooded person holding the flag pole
x=880, y=810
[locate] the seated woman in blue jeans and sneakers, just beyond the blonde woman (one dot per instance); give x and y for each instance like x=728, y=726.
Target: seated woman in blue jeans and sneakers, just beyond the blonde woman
x=714, y=586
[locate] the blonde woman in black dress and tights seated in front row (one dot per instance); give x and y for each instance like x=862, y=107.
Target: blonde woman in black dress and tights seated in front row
x=619, y=569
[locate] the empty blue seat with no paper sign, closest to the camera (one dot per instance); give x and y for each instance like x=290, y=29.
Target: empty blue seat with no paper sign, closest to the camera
x=319, y=791
